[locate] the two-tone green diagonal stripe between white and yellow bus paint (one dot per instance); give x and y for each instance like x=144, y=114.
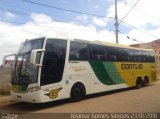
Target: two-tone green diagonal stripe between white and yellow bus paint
x=106, y=72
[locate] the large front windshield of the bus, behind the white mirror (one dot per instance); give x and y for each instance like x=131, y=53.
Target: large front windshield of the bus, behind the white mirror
x=24, y=73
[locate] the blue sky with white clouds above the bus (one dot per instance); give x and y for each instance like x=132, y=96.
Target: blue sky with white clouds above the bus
x=20, y=20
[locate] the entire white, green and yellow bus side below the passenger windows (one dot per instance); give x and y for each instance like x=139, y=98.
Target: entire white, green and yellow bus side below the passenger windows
x=98, y=76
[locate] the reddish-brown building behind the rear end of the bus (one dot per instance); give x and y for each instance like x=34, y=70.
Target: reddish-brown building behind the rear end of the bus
x=155, y=45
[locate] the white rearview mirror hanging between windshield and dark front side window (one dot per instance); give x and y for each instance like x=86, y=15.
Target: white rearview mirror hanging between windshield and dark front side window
x=36, y=56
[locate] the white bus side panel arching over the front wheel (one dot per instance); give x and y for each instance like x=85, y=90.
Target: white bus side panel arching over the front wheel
x=79, y=72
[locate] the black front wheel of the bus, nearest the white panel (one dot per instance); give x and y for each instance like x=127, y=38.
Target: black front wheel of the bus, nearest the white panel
x=78, y=92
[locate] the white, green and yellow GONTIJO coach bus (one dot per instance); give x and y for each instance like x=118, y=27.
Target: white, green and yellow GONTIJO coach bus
x=48, y=69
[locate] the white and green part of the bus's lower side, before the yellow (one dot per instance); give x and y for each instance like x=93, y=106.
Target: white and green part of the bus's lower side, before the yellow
x=96, y=76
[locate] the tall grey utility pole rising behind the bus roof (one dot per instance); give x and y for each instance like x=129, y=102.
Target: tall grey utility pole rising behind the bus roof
x=116, y=22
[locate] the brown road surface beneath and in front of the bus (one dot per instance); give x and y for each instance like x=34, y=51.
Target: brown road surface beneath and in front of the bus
x=146, y=99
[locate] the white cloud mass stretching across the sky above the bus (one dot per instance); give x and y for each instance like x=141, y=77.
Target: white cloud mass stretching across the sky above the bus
x=42, y=25
